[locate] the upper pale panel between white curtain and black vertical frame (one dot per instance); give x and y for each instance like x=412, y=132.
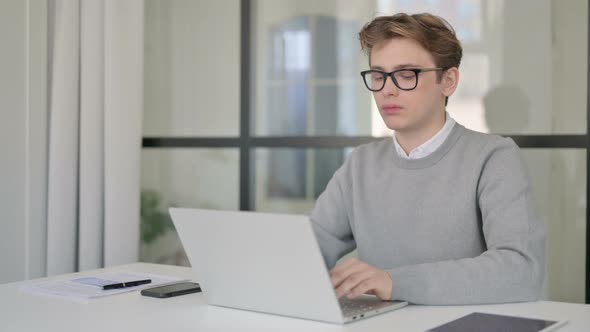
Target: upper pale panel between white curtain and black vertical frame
x=192, y=68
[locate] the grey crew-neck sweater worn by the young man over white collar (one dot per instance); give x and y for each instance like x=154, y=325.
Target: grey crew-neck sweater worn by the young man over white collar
x=456, y=227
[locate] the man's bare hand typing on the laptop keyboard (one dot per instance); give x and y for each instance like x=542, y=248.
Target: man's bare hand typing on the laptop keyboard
x=354, y=277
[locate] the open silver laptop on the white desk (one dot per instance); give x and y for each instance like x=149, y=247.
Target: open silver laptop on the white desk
x=268, y=263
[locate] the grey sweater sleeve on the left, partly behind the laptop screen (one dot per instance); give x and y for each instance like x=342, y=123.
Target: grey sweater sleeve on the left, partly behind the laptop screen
x=330, y=217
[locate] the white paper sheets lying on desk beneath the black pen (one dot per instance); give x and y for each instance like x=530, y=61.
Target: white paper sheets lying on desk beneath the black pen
x=86, y=288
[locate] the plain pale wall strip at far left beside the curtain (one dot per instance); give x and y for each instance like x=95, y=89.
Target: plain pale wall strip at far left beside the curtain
x=23, y=32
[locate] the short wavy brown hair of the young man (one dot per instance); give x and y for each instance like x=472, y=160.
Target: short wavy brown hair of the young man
x=432, y=32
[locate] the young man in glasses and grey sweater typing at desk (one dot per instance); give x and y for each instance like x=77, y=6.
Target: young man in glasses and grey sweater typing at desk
x=439, y=214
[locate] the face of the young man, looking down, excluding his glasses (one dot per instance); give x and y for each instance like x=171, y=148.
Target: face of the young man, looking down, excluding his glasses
x=407, y=111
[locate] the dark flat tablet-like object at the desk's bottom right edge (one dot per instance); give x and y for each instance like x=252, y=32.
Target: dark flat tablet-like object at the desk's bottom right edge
x=482, y=322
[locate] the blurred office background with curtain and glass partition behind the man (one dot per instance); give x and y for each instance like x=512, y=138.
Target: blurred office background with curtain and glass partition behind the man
x=230, y=104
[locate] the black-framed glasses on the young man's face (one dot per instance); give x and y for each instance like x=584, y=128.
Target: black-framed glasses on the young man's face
x=405, y=79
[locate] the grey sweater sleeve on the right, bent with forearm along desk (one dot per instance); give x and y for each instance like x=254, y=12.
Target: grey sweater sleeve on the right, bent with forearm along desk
x=512, y=267
